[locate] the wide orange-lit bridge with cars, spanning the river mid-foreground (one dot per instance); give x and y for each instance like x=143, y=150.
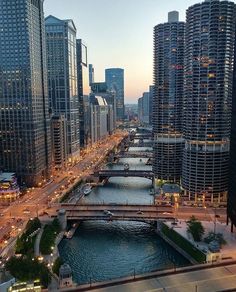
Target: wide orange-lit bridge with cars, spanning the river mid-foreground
x=118, y=212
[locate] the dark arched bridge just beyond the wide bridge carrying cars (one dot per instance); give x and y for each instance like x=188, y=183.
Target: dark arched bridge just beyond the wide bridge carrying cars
x=107, y=173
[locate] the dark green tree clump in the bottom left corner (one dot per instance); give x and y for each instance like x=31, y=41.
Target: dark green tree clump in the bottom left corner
x=26, y=269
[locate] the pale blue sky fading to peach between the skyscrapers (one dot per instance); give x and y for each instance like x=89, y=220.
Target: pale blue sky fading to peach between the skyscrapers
x=119, y=33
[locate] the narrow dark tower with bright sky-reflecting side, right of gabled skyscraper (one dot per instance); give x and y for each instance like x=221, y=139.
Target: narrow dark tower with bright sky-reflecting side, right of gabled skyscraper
x=83, y=85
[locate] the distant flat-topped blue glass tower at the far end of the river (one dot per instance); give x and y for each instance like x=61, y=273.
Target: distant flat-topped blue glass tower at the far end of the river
x=114, y=78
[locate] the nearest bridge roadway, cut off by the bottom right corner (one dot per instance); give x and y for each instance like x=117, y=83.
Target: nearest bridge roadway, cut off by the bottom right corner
x=201, y=278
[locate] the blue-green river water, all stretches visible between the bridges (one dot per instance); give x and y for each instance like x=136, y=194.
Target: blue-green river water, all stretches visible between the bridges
x=101, y=251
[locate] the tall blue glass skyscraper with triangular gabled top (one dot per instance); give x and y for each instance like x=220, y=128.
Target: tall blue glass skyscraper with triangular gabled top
x=62, y=78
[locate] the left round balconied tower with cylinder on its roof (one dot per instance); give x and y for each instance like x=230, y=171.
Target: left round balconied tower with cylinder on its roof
x=168, y=98
